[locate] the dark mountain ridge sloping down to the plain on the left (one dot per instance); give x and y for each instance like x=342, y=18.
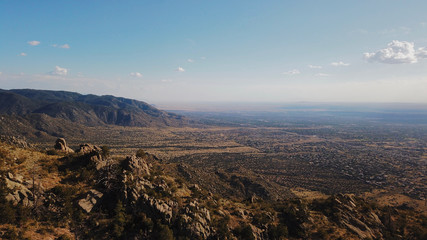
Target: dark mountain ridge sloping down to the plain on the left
x=60, y=113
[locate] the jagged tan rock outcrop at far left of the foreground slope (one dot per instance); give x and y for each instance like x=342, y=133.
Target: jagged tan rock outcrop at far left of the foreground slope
x=20, y=194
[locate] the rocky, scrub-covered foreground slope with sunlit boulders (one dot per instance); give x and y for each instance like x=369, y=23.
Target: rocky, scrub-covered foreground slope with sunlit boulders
x=87, y=193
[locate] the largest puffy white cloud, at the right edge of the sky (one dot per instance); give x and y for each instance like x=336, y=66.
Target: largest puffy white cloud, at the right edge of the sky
x=397, y=52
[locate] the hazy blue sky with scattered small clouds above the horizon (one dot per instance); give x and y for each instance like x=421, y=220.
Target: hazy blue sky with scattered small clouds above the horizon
x=218, y=51
